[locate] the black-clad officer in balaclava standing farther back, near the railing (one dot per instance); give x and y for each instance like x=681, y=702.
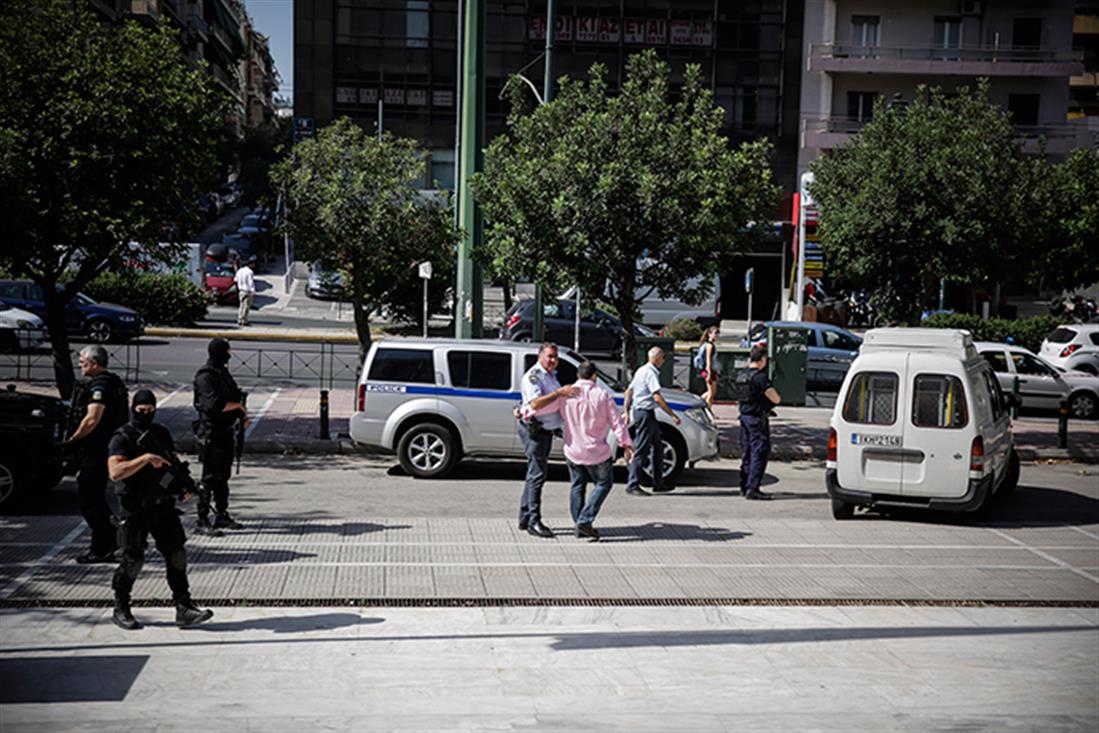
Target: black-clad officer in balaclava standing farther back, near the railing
x=219, y=403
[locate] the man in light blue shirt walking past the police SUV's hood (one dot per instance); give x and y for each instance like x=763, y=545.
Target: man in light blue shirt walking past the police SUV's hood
x=641, y=401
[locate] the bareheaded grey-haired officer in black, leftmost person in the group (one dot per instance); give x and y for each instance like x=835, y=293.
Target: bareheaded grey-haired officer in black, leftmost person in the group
x=101, y=405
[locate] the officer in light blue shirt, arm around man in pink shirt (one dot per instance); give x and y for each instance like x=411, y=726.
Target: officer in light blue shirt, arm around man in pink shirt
x=541, y=421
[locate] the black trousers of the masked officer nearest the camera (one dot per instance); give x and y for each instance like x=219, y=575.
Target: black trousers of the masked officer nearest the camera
x=163, y=524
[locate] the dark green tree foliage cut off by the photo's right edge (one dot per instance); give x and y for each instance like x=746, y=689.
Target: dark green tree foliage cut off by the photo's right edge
x=1069, y=258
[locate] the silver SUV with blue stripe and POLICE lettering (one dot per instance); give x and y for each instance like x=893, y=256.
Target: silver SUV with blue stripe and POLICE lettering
x=436, y=402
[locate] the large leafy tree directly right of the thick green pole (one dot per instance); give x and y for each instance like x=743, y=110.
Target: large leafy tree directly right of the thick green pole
x=626, y=194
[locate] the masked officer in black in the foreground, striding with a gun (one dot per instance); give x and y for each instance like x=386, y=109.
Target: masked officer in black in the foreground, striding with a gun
x=143, y=460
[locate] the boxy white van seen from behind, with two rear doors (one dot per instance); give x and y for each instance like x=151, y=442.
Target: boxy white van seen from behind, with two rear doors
x=920, y=423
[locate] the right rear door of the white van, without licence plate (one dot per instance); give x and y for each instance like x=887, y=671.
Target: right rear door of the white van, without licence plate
x=938, y=434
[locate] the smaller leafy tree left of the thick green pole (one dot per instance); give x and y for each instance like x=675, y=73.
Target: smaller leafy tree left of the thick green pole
x=353, y=207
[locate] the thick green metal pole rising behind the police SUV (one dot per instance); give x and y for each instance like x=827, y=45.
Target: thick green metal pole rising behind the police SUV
x=468, y=317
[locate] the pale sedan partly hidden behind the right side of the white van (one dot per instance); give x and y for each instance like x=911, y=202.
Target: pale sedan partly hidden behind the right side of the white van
x=1041, y=385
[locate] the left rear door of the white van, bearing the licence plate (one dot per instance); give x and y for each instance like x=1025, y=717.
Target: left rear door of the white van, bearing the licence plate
x=869, y=434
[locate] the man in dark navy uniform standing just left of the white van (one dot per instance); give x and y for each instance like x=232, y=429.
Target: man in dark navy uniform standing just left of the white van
x=758, y=398
